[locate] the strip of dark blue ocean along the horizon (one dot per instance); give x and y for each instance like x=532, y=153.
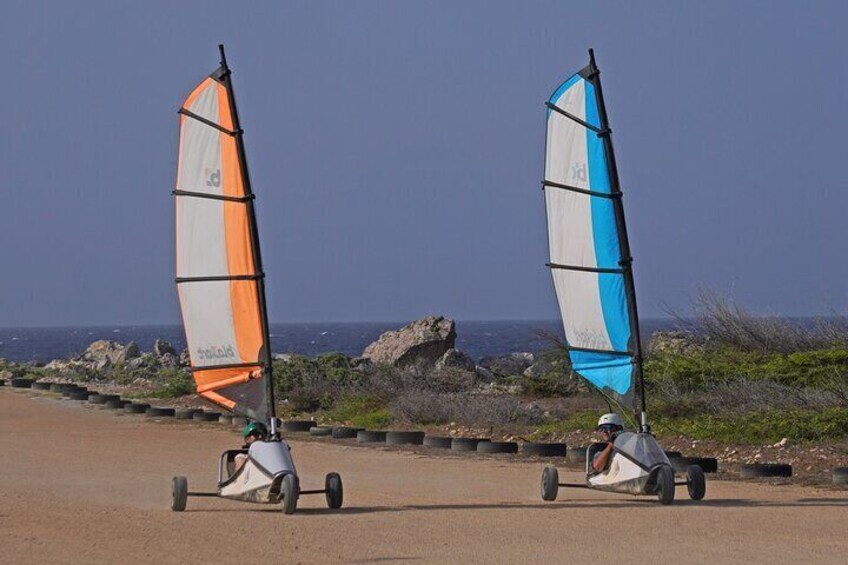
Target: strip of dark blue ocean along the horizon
x=477, y=339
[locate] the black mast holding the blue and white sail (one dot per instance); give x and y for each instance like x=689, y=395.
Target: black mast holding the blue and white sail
x=626, y=261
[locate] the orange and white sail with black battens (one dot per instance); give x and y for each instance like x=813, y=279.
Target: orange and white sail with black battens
x=219, y=276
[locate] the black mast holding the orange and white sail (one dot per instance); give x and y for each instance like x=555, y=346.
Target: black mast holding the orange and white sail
x=254, y=238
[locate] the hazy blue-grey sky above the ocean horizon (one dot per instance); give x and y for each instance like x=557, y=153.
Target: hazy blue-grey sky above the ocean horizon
x=396, y=151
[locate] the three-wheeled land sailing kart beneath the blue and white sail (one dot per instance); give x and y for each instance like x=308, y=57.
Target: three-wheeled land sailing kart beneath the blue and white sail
x=638, y=466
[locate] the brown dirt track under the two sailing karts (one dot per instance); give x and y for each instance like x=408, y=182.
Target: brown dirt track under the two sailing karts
x=80, y=484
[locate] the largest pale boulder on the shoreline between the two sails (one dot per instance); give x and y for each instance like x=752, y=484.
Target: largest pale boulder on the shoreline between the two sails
x=423, y=341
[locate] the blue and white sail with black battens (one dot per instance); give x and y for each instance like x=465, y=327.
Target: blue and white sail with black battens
x=589, y=260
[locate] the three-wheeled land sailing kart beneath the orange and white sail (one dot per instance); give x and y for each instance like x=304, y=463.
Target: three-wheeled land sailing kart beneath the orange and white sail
x=268, y=476
